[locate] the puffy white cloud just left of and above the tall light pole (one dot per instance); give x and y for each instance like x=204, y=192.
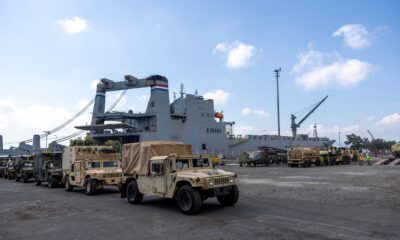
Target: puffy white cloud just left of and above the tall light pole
x=237, y=54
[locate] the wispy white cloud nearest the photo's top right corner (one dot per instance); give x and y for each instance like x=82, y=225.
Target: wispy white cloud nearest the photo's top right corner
x=357, y=36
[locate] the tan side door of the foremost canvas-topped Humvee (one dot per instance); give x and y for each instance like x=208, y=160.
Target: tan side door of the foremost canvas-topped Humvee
x=157, y=172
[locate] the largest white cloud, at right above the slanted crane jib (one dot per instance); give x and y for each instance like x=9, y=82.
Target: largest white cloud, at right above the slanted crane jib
x=315, y=70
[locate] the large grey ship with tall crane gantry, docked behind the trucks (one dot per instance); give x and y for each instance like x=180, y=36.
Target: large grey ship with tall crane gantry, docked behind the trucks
x=190, y=118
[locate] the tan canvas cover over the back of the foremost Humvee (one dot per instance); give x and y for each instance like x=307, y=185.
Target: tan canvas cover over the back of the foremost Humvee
x=136, y=156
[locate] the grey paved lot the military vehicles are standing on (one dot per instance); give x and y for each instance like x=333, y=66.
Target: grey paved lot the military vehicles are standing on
x=340, y=202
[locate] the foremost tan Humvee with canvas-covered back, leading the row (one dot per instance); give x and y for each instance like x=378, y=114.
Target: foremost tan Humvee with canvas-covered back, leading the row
x=170, y=170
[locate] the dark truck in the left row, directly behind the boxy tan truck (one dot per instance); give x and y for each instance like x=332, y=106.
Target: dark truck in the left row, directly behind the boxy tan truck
x=48, y=168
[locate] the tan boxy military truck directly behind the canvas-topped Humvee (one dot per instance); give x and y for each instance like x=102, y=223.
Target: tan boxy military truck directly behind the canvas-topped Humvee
x=91, y=167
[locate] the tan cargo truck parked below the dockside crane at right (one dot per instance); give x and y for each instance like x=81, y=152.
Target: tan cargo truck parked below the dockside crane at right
x=303, y=156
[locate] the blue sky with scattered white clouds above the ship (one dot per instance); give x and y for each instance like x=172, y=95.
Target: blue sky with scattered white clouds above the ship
x=51, y=52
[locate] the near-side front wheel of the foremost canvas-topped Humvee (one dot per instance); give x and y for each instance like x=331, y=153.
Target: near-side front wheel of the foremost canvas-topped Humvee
x=188, y=199
